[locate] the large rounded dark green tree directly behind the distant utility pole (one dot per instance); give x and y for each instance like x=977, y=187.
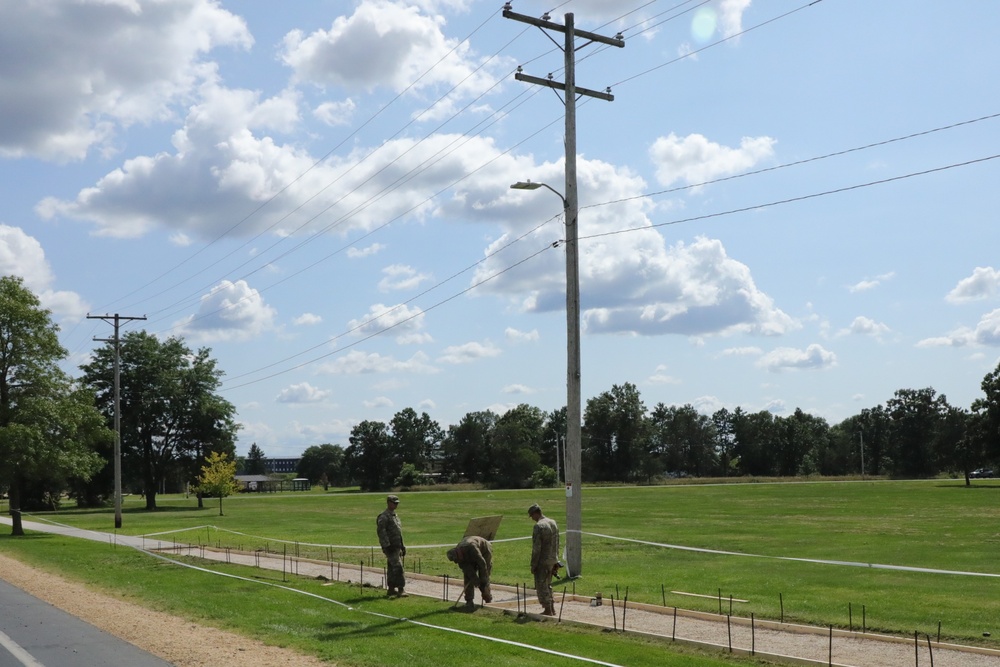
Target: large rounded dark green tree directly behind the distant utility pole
x=170, y=414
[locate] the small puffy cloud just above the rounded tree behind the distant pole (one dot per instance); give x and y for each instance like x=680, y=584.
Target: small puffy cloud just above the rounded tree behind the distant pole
x=230, y=312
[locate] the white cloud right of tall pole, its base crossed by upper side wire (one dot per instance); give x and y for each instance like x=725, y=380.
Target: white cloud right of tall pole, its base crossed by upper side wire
x=694, y=159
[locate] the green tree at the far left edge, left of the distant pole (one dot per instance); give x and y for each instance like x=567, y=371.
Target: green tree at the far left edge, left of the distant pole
x=49, y=430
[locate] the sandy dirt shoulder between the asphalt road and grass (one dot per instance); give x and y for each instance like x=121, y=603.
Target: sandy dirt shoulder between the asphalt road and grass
x=179, y=642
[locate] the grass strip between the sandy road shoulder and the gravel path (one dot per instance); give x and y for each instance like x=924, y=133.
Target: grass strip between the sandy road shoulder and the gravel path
x=364, y=629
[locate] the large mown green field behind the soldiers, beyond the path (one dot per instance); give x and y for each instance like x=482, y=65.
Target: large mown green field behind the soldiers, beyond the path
x=937, y=524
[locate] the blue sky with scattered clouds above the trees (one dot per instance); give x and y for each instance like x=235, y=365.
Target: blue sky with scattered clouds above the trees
x=787, y=205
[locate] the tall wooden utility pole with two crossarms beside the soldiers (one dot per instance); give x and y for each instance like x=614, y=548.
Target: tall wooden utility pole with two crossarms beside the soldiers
x=574, y=418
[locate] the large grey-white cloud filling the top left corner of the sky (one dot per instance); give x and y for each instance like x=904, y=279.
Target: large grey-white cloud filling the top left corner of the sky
x=57, y=103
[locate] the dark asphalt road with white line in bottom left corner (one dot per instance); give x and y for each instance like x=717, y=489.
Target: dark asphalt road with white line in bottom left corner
x=33, y=633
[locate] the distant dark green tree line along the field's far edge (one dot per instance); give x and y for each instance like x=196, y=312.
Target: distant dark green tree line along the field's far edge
x=916, y=433
